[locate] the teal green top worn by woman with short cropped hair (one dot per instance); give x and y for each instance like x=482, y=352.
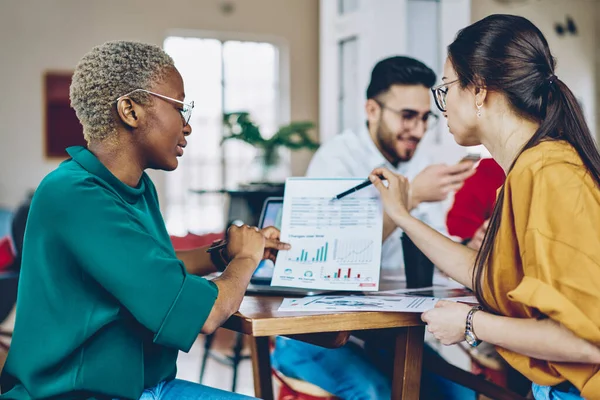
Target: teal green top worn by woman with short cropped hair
x=104, y=305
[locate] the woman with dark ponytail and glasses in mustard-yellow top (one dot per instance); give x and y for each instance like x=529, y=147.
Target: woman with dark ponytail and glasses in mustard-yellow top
x=537, y=275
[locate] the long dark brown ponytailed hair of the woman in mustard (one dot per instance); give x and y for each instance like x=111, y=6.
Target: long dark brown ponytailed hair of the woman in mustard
x=510, y=55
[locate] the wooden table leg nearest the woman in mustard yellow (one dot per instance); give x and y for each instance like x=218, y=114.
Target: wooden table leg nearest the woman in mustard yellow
x=408, y=362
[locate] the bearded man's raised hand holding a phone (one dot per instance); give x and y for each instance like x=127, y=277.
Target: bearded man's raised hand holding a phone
x=435, y=182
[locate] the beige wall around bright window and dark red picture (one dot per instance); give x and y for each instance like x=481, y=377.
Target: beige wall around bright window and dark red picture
x=37, y=35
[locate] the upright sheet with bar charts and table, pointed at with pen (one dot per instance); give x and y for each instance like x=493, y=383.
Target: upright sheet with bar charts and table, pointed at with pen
x=336, y=244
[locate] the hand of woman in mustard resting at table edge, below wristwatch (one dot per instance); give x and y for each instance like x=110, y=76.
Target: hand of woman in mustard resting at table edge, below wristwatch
x=447, y=321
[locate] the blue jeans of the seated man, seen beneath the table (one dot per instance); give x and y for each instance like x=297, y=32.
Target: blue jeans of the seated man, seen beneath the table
x=348, y=372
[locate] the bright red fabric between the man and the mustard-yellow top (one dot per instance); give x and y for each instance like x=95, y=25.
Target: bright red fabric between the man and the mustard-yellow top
x=474, y=202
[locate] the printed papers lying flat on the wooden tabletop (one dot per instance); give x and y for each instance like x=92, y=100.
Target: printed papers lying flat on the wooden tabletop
x=359, y=303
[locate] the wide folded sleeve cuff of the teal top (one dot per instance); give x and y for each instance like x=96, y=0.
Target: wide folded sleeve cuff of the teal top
x=188, y=313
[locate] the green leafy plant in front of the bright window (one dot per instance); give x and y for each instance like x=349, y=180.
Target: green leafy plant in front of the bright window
x=293, y=136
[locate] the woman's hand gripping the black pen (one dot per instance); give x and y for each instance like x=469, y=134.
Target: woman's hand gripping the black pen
x=395, y=196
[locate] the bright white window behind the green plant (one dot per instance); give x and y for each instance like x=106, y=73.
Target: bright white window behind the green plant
x=220, y=76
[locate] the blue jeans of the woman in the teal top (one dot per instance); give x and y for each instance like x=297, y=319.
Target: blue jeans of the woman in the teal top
x=183, y=390
